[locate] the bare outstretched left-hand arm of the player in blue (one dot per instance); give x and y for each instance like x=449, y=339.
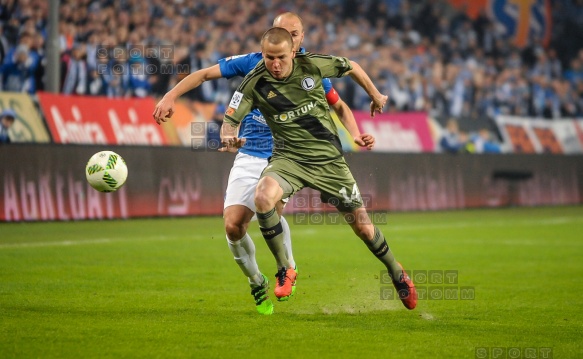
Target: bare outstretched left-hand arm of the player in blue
x=165, y=107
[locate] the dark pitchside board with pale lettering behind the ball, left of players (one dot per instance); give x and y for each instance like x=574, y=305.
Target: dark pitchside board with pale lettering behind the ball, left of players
x=46, y=183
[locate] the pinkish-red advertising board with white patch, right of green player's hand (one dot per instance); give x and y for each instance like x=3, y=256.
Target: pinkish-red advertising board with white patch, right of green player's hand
x=398, y=132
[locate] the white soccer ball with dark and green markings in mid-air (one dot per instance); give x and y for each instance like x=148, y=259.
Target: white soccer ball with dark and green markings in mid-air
x=106, y=171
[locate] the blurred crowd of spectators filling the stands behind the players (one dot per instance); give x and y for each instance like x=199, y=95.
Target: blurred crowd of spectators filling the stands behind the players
x=424, y=54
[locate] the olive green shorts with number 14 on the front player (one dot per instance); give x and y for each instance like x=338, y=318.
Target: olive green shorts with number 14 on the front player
x=333, y=180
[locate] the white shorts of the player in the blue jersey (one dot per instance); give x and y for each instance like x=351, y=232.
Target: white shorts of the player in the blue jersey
x=243, y=180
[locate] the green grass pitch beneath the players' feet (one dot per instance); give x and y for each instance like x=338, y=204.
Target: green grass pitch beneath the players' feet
x=168, y=288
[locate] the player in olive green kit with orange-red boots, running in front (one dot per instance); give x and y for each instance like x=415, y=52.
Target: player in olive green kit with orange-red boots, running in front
x=287, y=88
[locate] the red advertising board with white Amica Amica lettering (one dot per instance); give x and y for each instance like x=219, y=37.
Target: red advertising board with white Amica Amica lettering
x=101, y=120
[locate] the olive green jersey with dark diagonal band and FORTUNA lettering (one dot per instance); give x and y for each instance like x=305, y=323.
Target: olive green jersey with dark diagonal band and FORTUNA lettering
x=294, y=108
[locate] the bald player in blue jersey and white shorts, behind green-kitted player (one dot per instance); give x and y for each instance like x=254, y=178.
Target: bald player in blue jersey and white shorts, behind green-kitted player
x=254, y=148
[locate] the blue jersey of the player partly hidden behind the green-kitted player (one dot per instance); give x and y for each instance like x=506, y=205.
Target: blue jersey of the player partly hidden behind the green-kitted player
x=253, y=127
